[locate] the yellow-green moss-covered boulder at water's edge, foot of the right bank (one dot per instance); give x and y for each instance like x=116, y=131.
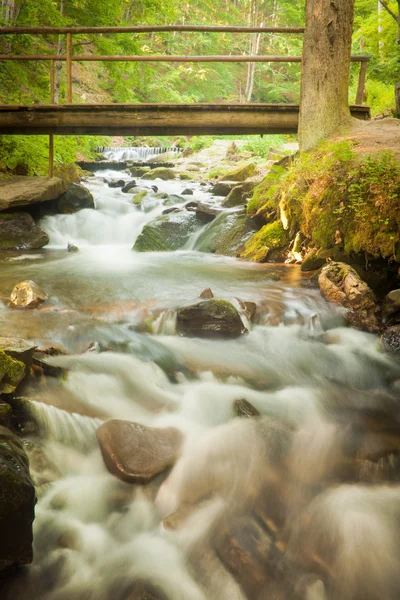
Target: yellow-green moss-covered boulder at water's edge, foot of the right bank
x=270, y=243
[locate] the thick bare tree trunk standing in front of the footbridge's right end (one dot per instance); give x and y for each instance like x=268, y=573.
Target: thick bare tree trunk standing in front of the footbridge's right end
x=324, y=105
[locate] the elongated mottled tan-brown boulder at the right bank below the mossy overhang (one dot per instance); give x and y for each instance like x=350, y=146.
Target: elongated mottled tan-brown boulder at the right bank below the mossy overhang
x=341, y=284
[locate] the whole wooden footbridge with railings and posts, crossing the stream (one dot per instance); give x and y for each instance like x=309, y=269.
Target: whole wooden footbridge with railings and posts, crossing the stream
x=153, y=119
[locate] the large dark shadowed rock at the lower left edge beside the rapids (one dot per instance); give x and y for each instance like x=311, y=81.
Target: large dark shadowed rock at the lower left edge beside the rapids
x=17, y=500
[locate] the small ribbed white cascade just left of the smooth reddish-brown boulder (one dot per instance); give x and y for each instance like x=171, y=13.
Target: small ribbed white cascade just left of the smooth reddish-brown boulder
x=71, y=429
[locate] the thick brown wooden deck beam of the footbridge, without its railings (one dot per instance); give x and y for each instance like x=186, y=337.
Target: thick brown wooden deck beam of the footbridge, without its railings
x=154, y=119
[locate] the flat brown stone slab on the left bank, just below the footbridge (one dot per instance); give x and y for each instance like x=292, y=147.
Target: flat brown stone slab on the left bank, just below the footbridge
x=24, y=191
